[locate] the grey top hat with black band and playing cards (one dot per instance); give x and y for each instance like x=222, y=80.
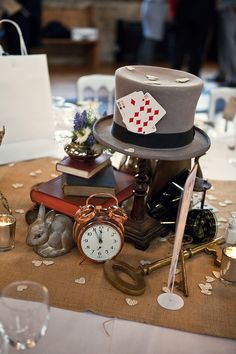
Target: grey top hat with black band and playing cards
x=174, y=95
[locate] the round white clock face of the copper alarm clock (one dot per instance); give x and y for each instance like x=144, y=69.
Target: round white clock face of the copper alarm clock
x=101, y=241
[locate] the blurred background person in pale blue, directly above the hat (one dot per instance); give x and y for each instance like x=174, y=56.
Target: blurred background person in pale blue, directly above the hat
x=153, y=15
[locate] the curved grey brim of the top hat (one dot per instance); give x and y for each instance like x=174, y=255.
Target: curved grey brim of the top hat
x=102, y=133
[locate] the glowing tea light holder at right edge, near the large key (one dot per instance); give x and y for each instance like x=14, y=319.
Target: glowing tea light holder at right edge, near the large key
x=228, y=264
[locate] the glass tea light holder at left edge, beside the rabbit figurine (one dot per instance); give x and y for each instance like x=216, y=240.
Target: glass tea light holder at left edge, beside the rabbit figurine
x=7, y=232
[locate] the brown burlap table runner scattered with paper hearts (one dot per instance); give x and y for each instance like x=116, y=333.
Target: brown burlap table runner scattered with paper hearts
x=213, y=315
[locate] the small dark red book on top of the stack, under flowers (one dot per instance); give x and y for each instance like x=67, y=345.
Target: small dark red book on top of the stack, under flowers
x=85, y=169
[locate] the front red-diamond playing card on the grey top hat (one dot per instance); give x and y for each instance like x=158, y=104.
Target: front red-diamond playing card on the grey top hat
x=143, y=114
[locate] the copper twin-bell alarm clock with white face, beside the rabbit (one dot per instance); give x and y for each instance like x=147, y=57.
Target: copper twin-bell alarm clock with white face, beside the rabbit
x=98, y=231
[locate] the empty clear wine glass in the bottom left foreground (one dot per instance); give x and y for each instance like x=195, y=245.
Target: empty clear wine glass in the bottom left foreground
x=24, y=313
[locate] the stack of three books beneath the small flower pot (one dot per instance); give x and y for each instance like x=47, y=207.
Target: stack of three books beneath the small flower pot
x=78, y=180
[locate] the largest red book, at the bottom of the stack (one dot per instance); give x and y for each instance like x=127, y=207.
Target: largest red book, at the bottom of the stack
x=51, y=194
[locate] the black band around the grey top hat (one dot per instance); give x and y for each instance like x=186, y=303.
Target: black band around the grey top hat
x=153, y=140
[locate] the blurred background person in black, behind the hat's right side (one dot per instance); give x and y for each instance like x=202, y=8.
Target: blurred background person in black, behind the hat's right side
x=192, y=23
